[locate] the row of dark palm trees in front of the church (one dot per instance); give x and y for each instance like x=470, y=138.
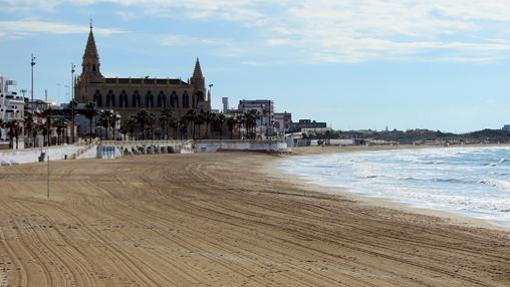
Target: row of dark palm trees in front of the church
x=165, y=124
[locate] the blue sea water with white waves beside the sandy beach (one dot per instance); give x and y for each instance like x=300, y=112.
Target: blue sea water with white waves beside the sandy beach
x=473, y=181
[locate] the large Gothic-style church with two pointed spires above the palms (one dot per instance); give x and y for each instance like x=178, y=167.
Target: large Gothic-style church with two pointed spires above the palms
x=128, y=96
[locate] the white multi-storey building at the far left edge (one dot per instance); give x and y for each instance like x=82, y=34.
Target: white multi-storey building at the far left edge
x=12, y=108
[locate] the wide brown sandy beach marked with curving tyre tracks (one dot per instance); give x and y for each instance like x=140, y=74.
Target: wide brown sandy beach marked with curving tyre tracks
x=221, y=220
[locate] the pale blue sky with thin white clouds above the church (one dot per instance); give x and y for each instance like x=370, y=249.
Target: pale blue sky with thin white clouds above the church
x=360, y=64
